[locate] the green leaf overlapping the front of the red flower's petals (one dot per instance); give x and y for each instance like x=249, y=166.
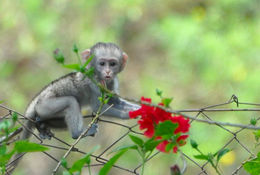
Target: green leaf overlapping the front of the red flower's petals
x=166, y=128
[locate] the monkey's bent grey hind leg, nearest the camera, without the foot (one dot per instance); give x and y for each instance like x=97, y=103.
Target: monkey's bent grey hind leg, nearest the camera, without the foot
x=62, y=107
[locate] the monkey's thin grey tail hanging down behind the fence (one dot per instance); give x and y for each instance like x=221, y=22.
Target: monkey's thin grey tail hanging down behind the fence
x=26, y=133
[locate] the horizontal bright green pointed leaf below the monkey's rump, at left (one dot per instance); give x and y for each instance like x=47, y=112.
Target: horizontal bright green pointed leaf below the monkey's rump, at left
x=25, y=146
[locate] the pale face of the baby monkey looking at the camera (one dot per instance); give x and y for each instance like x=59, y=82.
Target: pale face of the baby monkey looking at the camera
x=107, y=68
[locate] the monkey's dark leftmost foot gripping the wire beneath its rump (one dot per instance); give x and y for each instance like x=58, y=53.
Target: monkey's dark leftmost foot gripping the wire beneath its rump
x=44, y=131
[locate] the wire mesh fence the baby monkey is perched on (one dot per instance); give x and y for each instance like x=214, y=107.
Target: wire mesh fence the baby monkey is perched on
x=197, y=115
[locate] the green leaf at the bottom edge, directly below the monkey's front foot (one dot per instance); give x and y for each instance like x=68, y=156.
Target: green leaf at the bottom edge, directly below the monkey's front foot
x=79, y=164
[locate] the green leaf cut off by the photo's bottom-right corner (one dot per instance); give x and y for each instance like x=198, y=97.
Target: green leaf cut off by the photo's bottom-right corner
x=253, y=166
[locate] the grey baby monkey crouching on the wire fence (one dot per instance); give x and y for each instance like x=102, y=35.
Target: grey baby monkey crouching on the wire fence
x=59, y=104
